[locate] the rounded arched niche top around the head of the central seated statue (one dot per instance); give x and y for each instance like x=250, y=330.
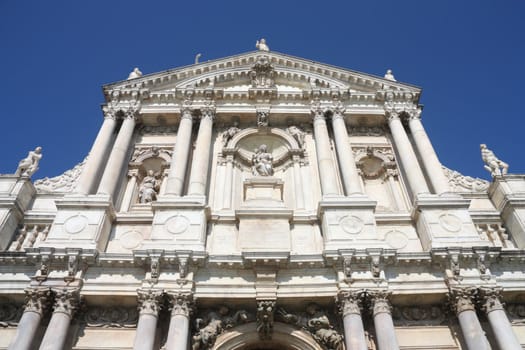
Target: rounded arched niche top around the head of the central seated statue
x=280, y=144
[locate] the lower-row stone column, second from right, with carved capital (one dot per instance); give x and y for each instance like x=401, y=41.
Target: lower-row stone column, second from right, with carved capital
x=463, y=305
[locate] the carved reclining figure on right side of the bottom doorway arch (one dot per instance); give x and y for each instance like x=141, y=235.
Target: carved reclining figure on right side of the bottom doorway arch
x=315, y=321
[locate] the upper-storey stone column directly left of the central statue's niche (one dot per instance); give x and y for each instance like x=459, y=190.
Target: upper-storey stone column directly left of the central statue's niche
x=201, y=158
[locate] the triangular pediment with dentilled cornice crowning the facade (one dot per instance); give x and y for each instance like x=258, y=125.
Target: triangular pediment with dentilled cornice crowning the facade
x=231, y=75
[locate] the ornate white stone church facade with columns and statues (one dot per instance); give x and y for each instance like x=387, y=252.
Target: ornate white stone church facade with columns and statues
x=262, y=201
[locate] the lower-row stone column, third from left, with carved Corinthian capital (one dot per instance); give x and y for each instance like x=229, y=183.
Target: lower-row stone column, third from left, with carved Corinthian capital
x=149, y=307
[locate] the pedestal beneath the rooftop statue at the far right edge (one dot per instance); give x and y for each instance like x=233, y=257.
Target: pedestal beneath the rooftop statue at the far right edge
x=508, y=195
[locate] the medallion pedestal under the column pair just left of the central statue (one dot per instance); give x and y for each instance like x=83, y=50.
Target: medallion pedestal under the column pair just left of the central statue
x=179, y=223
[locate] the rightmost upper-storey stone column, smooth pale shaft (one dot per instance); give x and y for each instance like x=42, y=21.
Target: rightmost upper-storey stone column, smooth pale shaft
x=427, y=154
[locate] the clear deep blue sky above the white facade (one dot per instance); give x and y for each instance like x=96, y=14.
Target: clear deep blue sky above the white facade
x=468, y=56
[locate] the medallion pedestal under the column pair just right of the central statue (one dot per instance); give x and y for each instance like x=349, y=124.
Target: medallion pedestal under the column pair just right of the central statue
x=348, y=222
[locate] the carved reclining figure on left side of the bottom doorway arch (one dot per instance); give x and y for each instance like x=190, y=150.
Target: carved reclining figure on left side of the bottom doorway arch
x=213, y=324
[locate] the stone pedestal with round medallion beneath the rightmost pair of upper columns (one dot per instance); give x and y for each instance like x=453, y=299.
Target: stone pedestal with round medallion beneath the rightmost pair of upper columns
x=444, y=221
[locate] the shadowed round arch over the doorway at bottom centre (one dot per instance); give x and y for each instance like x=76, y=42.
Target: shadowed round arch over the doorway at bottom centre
x=284, y=337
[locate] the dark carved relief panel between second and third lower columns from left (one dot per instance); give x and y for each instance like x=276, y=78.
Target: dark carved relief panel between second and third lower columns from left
x=111, y=317
